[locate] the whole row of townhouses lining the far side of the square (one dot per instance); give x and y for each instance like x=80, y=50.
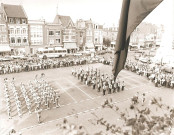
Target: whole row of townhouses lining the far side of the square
x=20, y=35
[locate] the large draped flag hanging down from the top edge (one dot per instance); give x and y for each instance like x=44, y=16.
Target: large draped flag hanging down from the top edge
x=132, y=14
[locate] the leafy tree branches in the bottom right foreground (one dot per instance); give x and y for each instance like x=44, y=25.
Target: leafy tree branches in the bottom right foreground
x=143, y=121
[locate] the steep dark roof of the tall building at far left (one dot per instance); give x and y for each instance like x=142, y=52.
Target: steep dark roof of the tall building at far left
x=14, y=11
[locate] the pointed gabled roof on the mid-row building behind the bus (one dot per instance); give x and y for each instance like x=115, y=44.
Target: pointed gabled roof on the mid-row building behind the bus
x=64, y=20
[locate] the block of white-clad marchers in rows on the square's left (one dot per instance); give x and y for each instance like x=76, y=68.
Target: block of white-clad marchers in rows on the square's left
x=37, y=94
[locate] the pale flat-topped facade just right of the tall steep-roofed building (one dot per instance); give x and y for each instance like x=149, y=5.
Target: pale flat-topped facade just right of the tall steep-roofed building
x=36, y=35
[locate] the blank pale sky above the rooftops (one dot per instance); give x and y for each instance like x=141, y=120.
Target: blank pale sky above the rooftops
x=105, y=12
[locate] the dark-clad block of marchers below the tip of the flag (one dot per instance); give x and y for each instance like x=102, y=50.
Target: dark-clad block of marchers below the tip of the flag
x=100, y=81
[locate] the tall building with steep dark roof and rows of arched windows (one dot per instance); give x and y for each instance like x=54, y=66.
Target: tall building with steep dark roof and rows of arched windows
x=17, y=28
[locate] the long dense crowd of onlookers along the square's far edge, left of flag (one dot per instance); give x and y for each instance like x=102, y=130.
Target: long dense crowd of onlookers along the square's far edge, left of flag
x=41, y=64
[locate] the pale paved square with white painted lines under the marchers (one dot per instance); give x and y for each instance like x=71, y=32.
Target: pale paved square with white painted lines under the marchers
x=76, y=99
